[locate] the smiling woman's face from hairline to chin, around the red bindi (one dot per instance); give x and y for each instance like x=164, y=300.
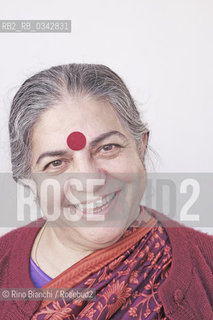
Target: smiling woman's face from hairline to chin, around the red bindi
x=97, y=189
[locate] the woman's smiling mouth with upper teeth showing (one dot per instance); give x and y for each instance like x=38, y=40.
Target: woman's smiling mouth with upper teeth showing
x=96, y=207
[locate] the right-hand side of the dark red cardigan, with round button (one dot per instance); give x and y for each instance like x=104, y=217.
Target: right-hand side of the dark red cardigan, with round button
x=189, y=285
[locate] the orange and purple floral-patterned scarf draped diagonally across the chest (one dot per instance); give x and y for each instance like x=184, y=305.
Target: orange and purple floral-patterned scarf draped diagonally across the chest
x=125, y=277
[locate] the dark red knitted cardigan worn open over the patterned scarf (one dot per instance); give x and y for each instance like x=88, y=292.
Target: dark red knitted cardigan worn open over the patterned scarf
x=187, y=294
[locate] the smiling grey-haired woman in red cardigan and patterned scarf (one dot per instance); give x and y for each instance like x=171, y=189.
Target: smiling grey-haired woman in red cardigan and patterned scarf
x=77, y=127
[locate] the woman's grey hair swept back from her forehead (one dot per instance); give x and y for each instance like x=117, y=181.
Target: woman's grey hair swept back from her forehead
x=51, y=86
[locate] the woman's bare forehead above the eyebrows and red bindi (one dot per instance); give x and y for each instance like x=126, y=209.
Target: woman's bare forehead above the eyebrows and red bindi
x=86, y=115
